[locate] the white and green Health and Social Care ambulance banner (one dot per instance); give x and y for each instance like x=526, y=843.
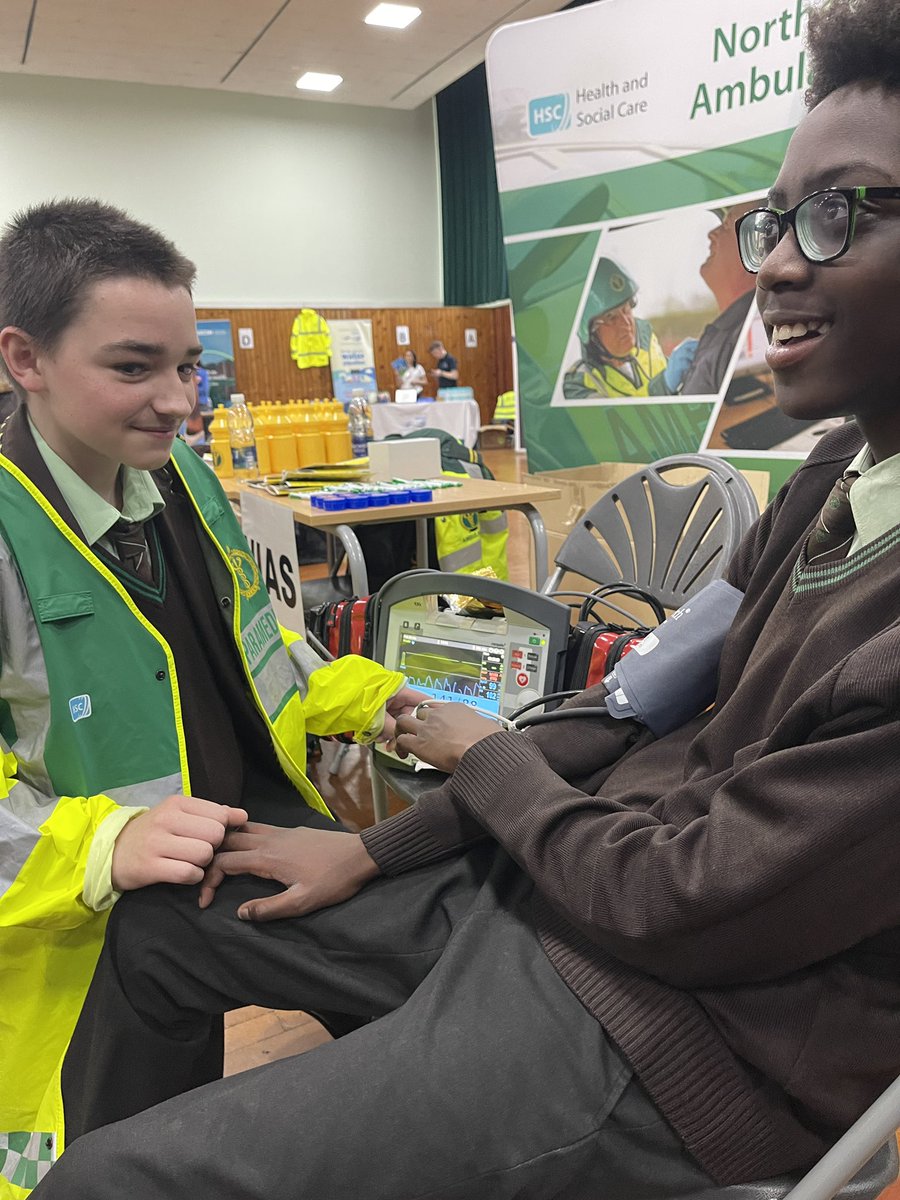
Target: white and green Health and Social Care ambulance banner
x=629, y=137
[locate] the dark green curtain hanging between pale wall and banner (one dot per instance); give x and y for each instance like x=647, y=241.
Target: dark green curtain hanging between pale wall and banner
x=475, y=262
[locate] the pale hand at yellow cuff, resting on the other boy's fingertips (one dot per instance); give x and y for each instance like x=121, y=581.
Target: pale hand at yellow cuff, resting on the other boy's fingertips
x=171, y=844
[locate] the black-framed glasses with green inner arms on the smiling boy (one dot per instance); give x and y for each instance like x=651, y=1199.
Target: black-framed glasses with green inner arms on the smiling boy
x=823, y=223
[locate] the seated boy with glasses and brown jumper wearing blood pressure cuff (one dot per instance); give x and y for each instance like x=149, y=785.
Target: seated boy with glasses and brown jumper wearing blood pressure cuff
x=607, y=964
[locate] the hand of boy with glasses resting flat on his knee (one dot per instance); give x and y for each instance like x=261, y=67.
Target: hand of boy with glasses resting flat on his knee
x=319, y=867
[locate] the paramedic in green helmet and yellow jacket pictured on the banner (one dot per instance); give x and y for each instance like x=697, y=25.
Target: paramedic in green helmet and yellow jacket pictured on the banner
x=621, y=355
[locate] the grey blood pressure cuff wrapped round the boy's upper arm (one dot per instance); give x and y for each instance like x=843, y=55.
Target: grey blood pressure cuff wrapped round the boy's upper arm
x=673, y=674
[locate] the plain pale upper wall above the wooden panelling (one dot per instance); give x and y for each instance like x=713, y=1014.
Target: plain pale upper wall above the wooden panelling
x=277, y=201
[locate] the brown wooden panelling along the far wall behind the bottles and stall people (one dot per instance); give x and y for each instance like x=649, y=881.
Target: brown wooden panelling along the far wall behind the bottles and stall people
x=268, y=373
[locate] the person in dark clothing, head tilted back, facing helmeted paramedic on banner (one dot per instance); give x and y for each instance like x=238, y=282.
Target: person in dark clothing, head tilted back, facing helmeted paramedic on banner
x=734, y=290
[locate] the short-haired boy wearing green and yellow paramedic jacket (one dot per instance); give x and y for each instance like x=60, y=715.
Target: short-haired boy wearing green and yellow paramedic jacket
x=149, y=700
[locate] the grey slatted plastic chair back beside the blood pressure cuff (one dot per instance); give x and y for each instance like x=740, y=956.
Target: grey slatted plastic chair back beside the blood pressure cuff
x=669, y=538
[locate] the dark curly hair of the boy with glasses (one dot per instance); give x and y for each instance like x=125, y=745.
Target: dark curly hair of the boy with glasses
x=853, y=43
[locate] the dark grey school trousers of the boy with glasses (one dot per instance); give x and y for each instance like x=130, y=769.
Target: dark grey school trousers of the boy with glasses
x=484, y=1077
